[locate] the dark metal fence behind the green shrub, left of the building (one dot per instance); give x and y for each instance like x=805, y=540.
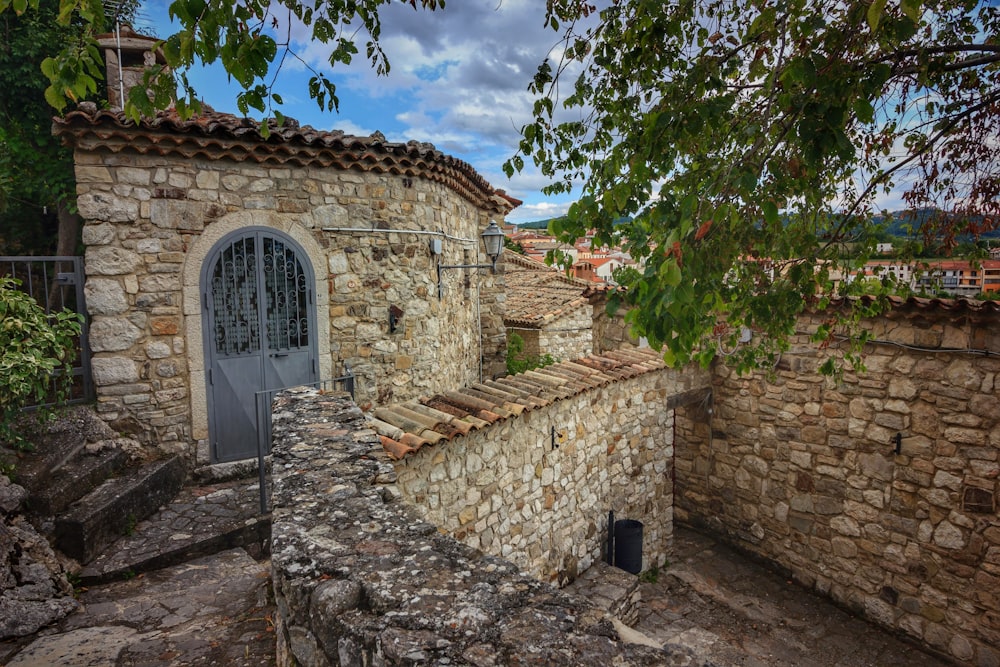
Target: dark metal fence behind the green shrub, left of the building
x=57, y=283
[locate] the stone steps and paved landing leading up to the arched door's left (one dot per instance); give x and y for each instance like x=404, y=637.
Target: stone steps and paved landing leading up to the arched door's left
x=119, y=516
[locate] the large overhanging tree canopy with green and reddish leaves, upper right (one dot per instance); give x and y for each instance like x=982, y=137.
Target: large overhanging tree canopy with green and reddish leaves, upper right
x=747, y=140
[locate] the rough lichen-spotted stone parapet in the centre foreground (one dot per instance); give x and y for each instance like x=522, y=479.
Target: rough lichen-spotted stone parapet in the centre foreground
x=360, y=579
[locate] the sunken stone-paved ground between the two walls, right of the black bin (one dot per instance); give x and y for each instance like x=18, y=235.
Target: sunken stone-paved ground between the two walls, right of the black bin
x=735, y=612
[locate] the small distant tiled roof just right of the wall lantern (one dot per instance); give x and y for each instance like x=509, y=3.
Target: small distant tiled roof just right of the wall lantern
x=538, y=293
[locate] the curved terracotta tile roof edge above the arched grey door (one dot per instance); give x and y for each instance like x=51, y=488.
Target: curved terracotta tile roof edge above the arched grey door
x=215, y=135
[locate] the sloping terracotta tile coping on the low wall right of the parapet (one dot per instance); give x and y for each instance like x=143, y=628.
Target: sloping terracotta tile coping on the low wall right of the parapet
x=406, y=427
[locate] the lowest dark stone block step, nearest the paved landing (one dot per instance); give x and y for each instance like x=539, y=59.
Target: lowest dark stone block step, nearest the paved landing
x=115, y=507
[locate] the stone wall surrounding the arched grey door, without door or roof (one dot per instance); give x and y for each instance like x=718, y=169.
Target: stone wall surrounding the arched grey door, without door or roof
x=151, y=221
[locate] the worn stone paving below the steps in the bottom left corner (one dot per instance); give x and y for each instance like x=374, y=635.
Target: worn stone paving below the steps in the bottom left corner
x=212, y=611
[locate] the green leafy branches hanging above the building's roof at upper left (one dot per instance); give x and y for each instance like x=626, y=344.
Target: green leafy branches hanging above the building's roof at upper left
x=236, y=33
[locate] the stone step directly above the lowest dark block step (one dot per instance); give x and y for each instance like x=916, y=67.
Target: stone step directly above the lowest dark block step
x=71, y=482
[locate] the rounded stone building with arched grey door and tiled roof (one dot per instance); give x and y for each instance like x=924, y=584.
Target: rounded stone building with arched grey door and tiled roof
x=222, y=262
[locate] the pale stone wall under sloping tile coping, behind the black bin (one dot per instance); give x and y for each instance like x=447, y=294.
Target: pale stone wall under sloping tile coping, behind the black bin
x=508, y=491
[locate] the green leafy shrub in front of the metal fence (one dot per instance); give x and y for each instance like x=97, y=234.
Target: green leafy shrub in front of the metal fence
x=34, y=345
